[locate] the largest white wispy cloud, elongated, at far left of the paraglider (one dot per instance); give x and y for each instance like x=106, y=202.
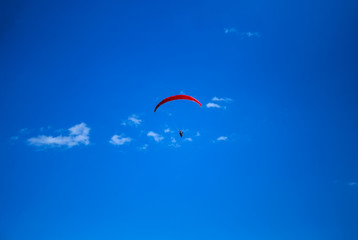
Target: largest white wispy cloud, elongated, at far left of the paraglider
x=79, y=134
